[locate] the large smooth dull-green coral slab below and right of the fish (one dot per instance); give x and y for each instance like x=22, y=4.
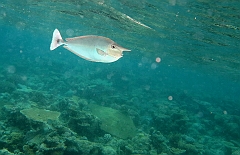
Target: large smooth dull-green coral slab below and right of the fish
x=114, y=122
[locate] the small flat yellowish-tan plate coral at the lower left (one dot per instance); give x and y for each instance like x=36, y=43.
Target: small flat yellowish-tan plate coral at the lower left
x=40, y=115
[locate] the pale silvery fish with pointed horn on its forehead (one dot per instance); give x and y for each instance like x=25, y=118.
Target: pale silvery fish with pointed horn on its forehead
x=90, y=47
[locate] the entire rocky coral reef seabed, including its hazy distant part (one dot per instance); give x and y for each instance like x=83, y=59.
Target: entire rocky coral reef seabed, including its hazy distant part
x=76, y=112
